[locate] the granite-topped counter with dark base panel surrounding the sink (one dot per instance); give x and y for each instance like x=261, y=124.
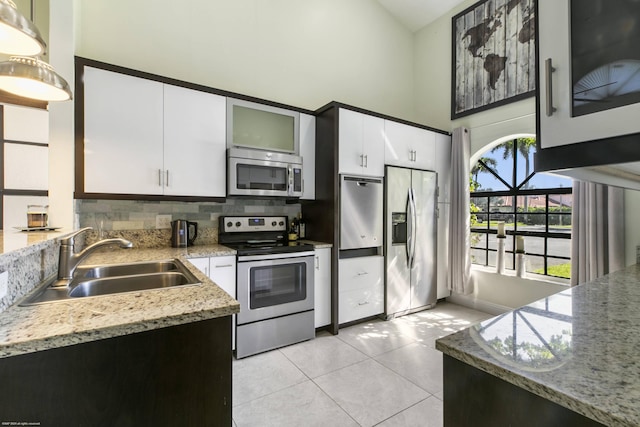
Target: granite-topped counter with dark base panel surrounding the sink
x=154, y=357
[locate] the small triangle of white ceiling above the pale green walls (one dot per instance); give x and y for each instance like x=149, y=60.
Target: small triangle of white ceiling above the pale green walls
x=415, y=14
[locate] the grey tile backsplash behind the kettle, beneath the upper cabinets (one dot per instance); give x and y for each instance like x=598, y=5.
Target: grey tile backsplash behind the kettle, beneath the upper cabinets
x=119, y=217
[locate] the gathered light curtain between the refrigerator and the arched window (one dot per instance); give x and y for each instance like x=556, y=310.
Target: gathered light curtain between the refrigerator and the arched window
x=459, y=217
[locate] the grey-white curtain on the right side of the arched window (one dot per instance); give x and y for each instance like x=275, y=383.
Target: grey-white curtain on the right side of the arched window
x=597, y=235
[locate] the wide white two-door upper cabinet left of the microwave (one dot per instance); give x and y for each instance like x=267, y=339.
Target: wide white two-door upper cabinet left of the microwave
x=145, y=137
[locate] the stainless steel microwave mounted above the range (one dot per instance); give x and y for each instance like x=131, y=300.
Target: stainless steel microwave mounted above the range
x=250, y=177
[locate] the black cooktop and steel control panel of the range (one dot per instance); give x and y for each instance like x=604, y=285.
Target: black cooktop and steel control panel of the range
x=258, y=235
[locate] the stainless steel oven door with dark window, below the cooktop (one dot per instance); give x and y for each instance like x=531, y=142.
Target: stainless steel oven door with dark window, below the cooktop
x=274, y=285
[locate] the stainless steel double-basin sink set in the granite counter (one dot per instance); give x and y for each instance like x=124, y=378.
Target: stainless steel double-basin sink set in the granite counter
x=97, y=280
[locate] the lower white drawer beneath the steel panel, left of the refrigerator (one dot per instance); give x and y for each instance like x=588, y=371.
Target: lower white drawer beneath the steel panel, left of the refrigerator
x=360, y=303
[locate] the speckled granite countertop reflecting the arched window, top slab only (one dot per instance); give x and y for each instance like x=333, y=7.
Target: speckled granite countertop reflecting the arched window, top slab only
x=579, y=348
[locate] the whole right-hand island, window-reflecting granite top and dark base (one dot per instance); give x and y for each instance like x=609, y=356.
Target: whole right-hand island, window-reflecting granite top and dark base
x=569, y=359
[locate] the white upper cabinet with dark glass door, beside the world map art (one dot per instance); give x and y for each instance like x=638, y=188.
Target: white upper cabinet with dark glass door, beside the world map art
x=589, y=89
